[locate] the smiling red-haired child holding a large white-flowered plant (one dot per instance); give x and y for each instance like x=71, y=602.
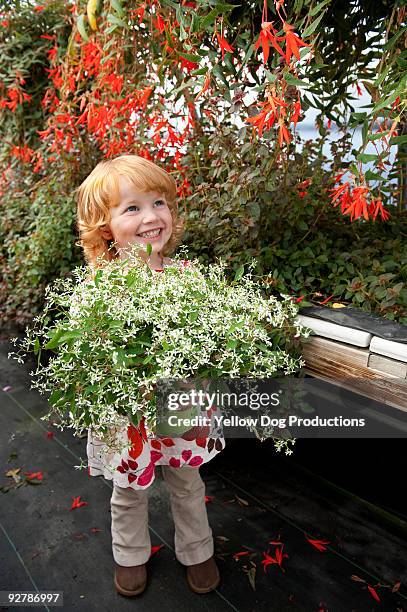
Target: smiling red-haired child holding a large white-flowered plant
x=124, y=201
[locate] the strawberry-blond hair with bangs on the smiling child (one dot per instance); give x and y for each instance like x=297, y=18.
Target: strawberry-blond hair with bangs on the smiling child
x=99, y=192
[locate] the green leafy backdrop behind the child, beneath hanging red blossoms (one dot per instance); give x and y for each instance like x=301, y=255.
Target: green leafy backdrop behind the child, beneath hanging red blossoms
x=246, y=202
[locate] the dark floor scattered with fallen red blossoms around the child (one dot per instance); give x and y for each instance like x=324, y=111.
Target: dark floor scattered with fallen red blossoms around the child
x=255, y=497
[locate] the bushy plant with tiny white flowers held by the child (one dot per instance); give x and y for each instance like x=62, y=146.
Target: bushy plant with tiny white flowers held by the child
x=117, y=332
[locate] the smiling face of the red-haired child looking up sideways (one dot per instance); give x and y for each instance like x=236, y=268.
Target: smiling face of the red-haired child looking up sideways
x=137, y=214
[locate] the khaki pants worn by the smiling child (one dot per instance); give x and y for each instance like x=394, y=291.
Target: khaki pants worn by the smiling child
x=193, y=536
